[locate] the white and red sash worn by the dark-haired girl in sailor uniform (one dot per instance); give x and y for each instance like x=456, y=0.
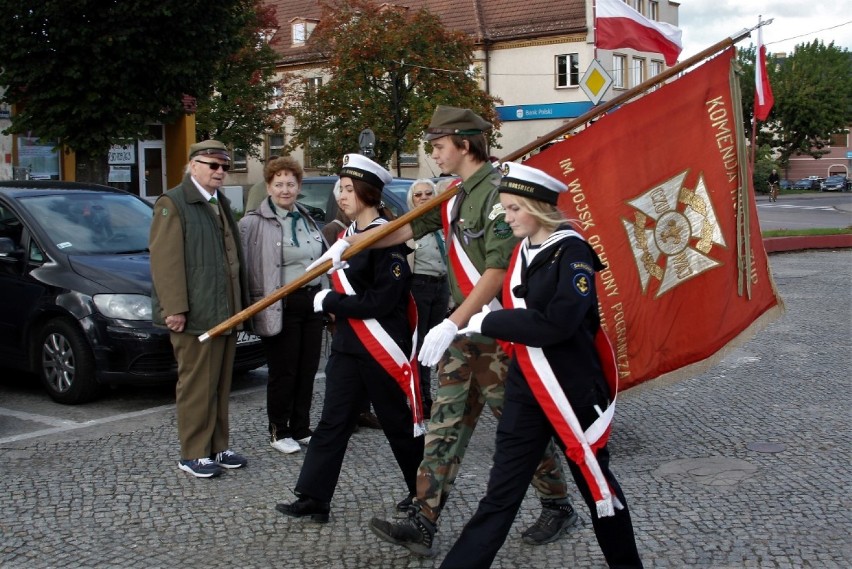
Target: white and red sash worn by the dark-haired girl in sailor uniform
x=385, y=350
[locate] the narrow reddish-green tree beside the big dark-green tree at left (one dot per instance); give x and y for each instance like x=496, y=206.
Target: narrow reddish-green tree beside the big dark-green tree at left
x=241, y=106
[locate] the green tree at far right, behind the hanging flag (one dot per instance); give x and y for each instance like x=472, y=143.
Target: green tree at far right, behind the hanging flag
x=812, y=88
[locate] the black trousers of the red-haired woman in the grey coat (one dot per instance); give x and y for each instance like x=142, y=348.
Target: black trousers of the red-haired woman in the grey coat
x=292, y=357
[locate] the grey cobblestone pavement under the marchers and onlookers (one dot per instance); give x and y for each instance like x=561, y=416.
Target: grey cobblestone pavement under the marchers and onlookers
x=742, y=466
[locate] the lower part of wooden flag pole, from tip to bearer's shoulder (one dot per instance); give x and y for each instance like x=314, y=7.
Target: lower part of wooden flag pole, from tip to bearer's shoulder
x=368, y=239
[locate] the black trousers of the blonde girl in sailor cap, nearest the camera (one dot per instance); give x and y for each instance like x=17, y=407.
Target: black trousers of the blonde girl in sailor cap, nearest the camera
x=522, y=434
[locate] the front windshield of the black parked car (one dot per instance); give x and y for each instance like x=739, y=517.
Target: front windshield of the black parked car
x=95, y=223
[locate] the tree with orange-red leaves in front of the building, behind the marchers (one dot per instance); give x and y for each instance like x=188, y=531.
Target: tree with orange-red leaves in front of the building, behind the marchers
x=389, y=68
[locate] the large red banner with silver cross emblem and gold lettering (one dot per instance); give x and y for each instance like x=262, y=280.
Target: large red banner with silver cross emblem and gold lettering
x=660, y=190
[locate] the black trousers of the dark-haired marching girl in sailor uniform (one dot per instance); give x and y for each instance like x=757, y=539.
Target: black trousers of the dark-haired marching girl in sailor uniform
x=349, y=379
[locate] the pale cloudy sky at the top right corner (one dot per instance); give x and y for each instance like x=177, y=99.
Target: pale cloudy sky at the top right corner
x=706, y=22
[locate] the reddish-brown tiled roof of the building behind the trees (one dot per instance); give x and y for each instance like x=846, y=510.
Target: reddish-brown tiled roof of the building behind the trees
x=483, y=20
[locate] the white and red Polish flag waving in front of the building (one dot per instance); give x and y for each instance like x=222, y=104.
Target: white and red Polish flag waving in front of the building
x=619, y=26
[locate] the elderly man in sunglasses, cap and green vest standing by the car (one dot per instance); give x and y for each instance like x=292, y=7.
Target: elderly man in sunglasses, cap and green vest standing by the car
x=198, y=281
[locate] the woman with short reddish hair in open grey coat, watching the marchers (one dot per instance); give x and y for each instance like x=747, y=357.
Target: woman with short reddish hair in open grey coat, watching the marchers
x=280, y=239
